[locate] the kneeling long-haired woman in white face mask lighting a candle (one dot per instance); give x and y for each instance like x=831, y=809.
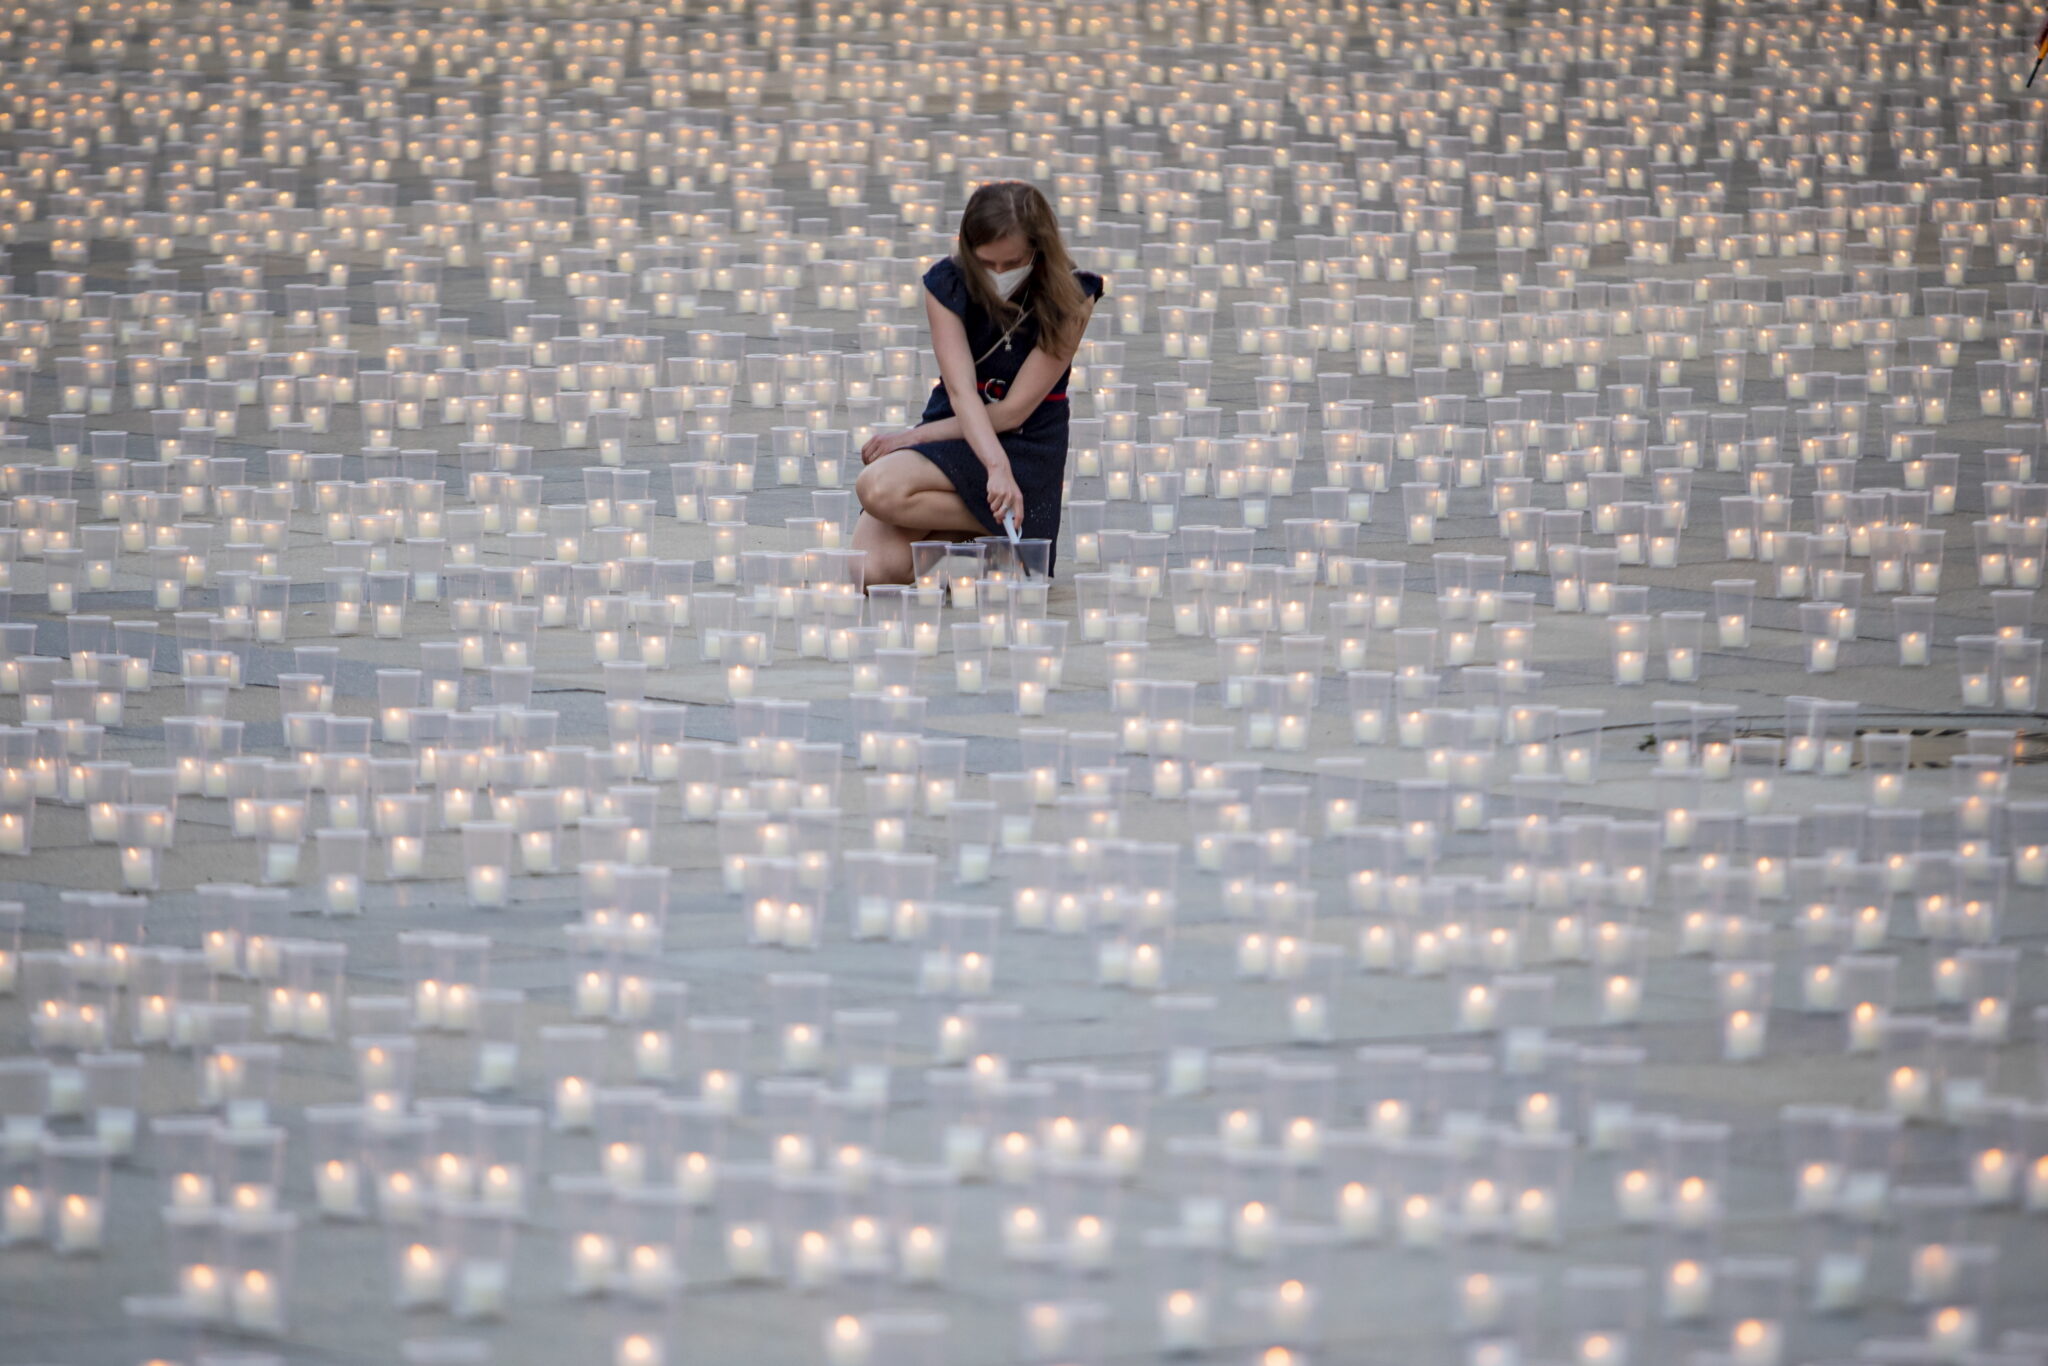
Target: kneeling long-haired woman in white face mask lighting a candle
x=1007, y=312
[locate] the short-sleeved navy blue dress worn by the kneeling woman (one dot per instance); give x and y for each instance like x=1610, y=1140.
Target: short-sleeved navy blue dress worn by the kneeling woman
x=1039, y=447
